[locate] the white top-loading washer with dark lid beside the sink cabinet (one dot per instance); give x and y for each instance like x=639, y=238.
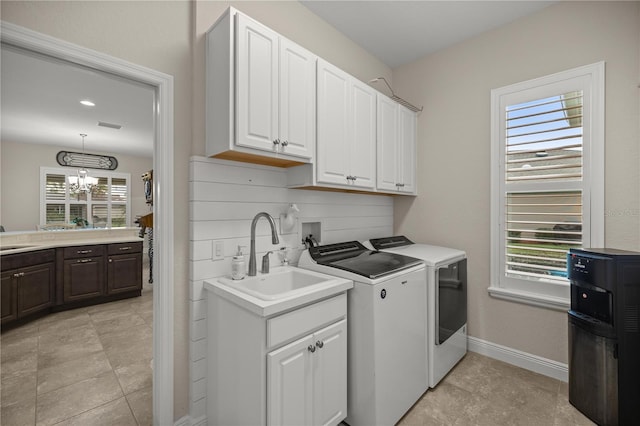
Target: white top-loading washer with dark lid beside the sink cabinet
x=386, y=320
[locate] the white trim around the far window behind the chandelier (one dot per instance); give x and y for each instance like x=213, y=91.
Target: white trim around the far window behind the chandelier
x=44, y=171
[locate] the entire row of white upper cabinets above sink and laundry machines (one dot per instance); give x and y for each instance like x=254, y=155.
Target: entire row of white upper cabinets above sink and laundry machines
x=270, y=101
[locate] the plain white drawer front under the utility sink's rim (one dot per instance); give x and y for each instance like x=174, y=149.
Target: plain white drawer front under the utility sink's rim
x=308, y=319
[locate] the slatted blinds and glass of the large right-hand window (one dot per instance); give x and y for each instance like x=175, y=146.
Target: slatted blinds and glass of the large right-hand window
x=543, y=144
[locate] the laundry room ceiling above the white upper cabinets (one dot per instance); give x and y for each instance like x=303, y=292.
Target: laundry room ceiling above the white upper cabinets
x=399, y=32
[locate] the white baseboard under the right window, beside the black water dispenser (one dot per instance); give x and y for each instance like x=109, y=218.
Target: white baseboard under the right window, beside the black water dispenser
x=537, y=364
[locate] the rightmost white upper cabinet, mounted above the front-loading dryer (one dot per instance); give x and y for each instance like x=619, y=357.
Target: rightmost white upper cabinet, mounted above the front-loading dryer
x=396, y=147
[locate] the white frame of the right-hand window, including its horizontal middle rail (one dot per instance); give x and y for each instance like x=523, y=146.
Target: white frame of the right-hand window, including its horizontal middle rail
x=591, y=80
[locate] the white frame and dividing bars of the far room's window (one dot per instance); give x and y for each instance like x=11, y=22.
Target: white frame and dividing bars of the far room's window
x=68, y=200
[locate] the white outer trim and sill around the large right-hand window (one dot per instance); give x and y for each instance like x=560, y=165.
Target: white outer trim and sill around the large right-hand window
x=555, y=297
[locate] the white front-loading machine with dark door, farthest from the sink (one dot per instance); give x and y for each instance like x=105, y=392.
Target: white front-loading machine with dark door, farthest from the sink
x=446, y=300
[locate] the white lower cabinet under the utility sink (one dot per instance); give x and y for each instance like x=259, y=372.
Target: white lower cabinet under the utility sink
x=287, y=369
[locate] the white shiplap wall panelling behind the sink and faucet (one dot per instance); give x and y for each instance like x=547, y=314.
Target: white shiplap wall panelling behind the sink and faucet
x=224, y=198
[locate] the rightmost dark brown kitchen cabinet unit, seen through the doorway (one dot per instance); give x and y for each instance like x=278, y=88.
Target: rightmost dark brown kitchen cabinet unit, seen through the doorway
x=124, y=267
